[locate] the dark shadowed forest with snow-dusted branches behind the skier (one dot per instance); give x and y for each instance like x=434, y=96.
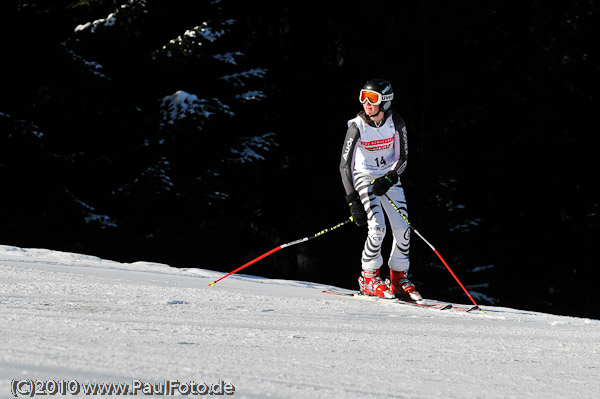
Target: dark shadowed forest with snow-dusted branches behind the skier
x=499, y=99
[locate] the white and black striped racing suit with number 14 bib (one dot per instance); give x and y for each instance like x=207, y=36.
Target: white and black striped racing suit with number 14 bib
x=370, y=152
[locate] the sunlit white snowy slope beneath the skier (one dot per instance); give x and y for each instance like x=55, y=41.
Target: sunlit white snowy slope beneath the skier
x=78, y=318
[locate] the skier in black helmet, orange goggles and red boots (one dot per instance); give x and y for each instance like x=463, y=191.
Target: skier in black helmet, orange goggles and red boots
x=374, y=154
